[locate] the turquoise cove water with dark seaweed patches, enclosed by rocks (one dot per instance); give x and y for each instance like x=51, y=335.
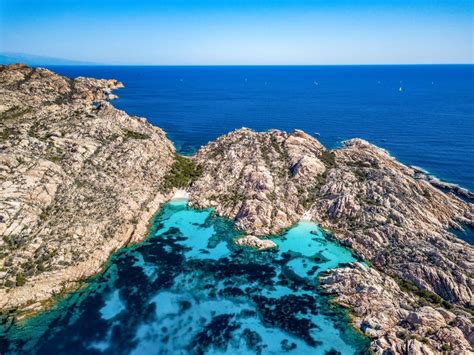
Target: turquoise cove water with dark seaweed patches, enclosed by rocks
x=189, y=289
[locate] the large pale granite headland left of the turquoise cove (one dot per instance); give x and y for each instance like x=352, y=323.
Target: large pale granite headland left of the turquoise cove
x=78, y=180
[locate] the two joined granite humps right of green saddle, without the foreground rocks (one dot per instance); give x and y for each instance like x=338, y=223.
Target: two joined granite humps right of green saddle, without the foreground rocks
x=268, y=181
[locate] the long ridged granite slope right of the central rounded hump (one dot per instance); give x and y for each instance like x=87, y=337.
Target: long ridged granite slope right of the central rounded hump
x=374, y=204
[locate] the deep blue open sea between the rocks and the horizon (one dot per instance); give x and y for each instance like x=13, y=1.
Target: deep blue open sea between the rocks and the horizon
x=422, y=114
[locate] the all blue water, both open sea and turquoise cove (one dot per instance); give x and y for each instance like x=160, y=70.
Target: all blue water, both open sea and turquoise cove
x=188, y=288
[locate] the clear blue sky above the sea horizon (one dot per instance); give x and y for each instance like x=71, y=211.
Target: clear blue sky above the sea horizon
x=241, y=32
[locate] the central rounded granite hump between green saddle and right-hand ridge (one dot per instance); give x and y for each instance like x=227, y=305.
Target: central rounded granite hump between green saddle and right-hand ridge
x=259, y=179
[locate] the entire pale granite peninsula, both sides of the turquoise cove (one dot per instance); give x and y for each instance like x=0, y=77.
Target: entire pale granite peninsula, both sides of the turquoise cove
x=80, y=179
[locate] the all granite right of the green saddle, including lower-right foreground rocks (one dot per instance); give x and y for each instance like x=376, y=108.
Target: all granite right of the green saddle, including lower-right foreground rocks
x=376, y=207
